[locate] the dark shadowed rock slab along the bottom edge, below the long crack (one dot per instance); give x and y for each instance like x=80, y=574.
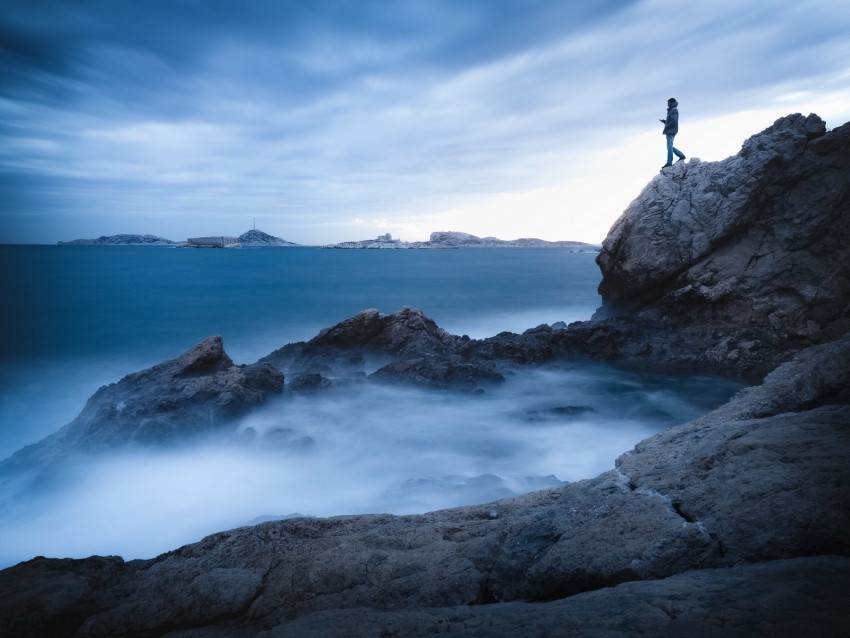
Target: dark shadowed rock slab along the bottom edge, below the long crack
x=783, y=599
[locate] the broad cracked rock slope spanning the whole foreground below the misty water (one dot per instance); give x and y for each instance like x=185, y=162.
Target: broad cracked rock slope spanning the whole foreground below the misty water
x=738, y=492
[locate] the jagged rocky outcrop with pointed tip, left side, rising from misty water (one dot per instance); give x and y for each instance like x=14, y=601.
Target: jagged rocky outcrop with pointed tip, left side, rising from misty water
x=196, y=394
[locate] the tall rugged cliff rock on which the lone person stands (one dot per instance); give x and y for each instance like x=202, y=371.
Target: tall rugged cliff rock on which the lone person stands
x=752, y=254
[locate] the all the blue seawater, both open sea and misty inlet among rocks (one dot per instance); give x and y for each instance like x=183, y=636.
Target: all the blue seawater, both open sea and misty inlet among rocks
x=76, y=318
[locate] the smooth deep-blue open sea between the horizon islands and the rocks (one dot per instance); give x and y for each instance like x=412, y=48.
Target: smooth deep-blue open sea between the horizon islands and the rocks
x=77, y=317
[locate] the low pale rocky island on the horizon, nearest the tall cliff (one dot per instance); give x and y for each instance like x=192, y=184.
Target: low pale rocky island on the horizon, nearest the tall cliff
x=453, y=239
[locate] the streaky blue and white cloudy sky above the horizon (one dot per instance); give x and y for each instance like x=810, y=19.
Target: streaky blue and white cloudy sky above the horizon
x=337, y=120
